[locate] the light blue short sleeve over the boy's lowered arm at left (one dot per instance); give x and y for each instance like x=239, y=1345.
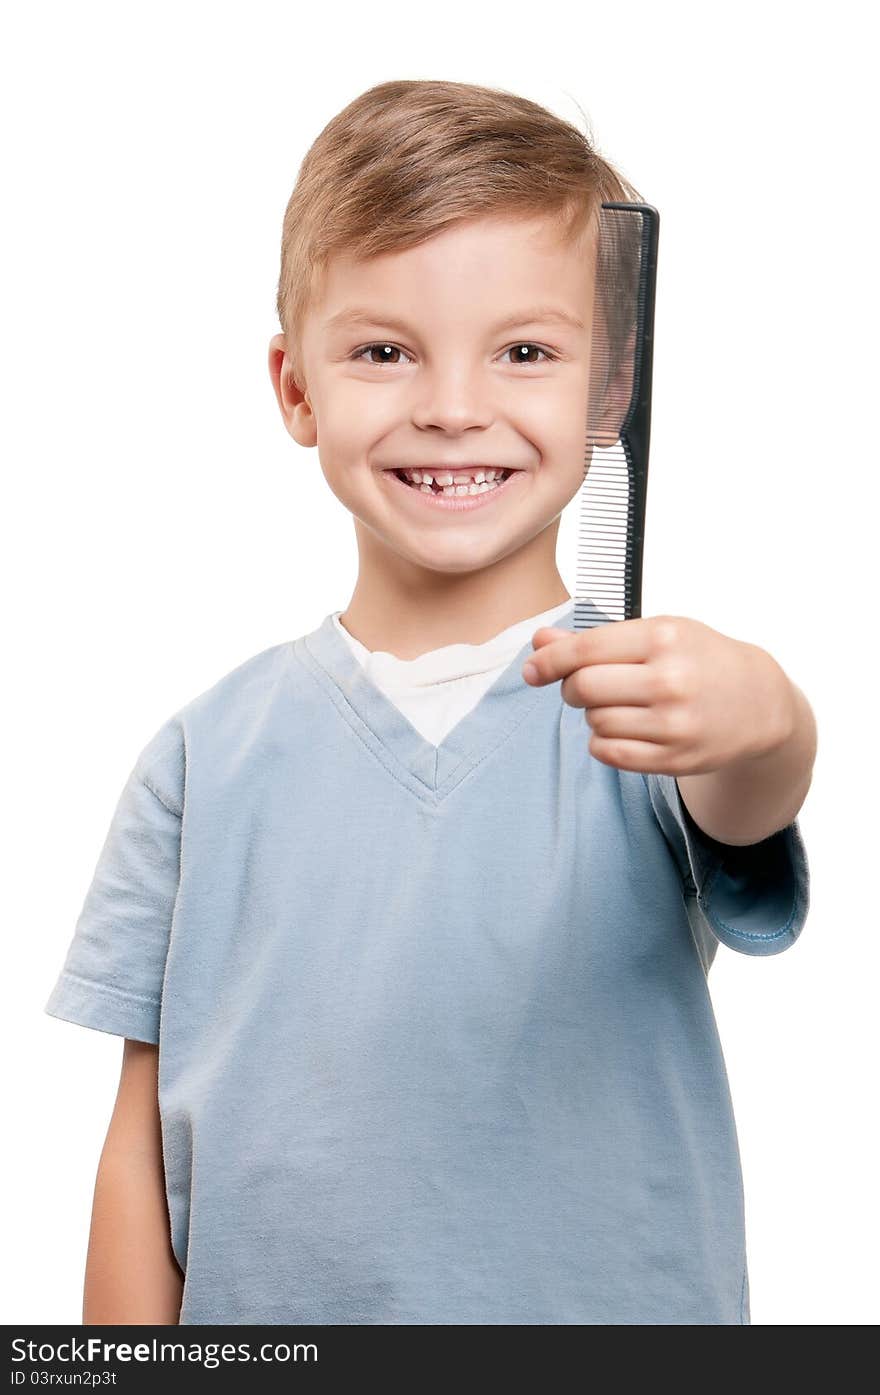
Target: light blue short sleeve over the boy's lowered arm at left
x=112, y=977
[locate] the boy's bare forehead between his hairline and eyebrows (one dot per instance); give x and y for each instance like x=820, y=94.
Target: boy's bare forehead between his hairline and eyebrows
x=499, y=262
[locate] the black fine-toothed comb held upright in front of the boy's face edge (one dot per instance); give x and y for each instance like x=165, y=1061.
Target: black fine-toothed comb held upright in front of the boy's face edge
x=614, y=492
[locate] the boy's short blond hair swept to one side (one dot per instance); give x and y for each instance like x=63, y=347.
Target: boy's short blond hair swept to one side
x=407, y=160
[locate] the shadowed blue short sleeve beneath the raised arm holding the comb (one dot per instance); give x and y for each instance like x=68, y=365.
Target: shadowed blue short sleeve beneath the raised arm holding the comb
x=754, y=899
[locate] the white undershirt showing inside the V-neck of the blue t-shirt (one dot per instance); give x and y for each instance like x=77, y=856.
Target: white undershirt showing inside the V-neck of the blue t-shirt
x=437, y=690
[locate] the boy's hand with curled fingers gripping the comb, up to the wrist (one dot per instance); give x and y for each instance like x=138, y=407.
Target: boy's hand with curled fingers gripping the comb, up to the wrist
x=667, y=694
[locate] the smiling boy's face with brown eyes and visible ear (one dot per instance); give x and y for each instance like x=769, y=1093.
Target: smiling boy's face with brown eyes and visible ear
x=454, y=387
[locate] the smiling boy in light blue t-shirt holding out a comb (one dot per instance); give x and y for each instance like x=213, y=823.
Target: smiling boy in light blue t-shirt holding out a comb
x=426, y=959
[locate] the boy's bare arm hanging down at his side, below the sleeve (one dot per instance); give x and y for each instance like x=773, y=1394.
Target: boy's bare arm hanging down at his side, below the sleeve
x=132, y=1274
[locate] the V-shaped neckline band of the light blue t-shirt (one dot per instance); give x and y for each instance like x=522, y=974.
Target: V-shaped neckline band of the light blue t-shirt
x=430, y=772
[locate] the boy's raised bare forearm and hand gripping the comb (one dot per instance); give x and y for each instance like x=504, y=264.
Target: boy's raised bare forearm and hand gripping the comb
x=669, y=695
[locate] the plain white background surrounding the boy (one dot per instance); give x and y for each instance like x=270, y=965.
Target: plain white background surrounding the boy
x=161, y=527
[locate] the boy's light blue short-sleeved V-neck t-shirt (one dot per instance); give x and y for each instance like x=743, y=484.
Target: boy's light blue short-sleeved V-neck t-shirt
x=436, y=1039
